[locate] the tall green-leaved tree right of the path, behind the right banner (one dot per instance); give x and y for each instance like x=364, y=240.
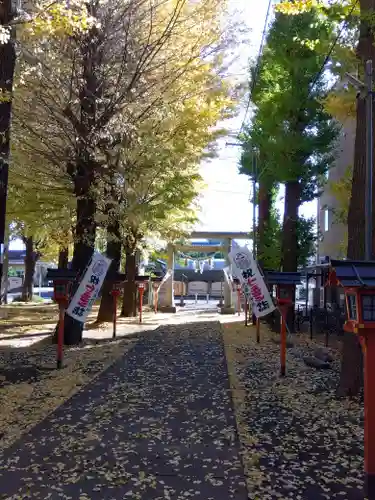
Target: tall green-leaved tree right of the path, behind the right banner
x=290, y=127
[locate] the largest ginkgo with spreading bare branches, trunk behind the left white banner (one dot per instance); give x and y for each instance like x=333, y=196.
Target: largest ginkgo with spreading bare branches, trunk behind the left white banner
x=87, y=94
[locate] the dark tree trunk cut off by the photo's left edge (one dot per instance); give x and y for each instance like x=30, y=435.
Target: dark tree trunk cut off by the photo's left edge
x=7, y=65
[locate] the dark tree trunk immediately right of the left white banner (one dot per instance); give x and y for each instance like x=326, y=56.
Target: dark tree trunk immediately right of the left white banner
x=113, y=252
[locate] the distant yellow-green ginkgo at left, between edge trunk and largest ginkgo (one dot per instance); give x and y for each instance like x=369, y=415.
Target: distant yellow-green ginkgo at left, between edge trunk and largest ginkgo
x=40, y=210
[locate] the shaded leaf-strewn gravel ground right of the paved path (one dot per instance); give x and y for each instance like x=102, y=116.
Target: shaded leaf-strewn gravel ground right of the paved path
x=298, y=440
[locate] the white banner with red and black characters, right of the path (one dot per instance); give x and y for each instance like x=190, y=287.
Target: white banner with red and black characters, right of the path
x=245, y=268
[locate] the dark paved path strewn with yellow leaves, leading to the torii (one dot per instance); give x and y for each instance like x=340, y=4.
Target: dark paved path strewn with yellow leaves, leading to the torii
x=158, y=424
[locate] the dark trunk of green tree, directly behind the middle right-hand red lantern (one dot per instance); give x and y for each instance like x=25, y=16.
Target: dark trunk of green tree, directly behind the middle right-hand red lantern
x=289, y=245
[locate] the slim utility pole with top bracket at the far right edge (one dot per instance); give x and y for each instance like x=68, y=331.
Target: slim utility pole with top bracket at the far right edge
x=365, y=92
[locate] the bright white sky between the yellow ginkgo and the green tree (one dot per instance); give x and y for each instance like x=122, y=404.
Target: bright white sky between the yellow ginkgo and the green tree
x=225, y=204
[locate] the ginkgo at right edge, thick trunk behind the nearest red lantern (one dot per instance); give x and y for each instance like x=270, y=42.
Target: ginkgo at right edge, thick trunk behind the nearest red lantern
x=343, y=12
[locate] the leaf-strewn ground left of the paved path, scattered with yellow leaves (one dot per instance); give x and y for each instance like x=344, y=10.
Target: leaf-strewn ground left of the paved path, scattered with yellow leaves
x=23, y=405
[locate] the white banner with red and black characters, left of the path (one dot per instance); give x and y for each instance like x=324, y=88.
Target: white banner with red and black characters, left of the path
x=89, y=288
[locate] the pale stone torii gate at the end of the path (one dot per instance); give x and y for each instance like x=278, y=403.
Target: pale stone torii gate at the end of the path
x=225, y=247
